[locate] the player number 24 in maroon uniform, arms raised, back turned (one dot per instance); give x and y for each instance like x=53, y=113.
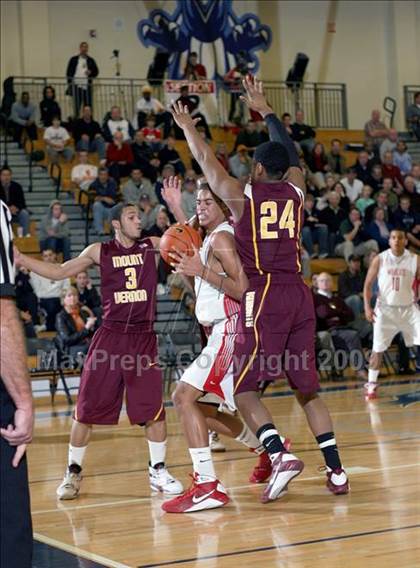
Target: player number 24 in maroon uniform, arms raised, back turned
x=277, y=314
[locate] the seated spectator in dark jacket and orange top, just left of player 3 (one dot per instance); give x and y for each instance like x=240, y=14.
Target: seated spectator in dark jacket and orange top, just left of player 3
x=75, y=325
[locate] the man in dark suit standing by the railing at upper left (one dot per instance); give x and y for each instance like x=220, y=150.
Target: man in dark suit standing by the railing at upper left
x=81, y=69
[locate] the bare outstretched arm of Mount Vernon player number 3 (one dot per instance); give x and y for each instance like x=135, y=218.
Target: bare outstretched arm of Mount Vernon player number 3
x=86, y=259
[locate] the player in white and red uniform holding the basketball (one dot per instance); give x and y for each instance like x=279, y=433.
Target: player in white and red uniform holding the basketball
x=219, y=283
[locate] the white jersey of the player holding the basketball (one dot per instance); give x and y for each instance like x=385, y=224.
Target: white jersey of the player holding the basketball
x=212, y=304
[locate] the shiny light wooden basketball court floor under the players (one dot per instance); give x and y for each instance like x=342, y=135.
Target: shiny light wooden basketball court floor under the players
x=117, y=523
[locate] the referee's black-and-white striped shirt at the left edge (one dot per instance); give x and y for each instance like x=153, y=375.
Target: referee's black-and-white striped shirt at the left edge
x=7, y=270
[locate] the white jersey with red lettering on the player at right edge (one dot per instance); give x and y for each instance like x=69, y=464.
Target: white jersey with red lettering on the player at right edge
x=395, y=278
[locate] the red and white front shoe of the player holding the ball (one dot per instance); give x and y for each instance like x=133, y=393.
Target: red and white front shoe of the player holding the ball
x=200, y=496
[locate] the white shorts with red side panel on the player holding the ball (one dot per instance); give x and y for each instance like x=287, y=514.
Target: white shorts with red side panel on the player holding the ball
x=212, y=371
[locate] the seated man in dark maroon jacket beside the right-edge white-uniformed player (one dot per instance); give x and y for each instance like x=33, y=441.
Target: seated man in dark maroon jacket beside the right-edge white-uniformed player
x=335, y=316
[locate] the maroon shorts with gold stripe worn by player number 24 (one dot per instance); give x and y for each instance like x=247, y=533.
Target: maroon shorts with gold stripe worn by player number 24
x=276, y=334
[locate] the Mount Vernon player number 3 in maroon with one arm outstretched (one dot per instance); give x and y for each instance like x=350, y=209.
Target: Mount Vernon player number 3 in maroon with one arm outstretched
x=123, y=354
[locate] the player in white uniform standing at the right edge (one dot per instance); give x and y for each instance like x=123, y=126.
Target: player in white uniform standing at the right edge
x=398, y=273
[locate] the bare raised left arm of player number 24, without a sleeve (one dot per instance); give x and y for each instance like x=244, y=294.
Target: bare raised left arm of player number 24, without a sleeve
x=224, y=186
